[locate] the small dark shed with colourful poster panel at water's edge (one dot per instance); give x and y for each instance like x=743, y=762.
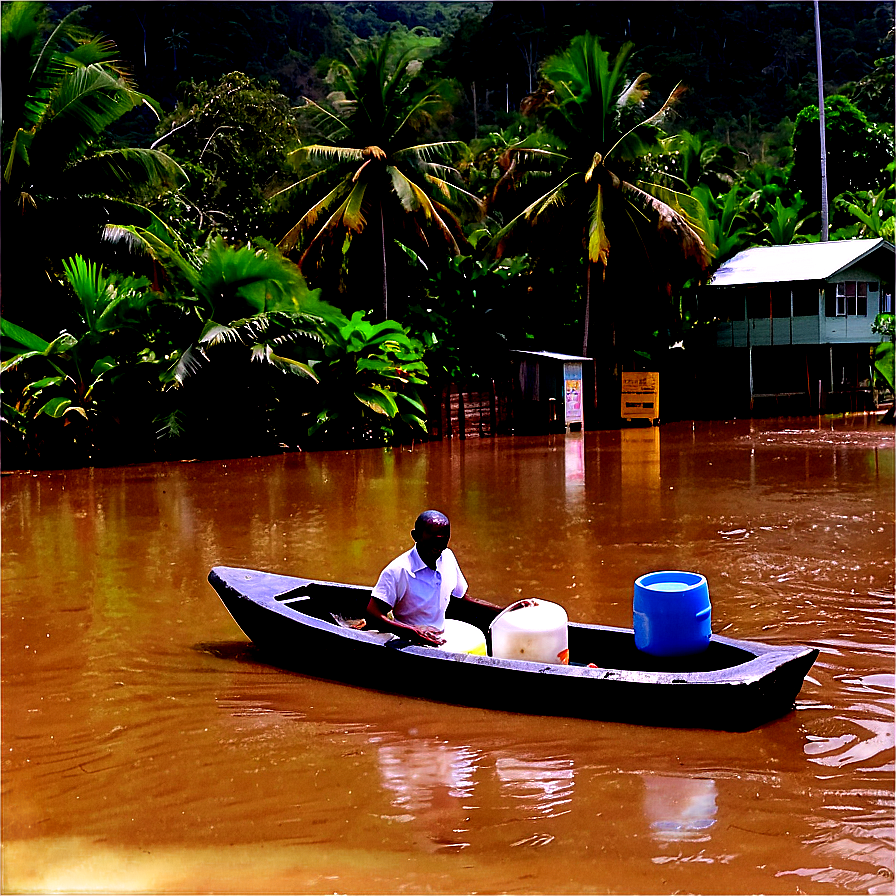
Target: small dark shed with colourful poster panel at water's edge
x=551, y=391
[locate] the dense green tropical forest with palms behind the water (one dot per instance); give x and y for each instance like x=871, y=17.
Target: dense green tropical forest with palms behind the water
x=244, y=228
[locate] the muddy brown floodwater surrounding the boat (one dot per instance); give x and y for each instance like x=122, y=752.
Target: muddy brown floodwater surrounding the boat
x=146, y=749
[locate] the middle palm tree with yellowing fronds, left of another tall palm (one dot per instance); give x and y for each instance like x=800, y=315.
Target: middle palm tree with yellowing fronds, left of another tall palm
x=375, y=169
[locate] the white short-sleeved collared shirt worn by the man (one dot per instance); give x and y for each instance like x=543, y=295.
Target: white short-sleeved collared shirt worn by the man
x=417, y=594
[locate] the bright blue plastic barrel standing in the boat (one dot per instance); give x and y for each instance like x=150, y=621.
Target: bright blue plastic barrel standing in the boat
x=672, y=613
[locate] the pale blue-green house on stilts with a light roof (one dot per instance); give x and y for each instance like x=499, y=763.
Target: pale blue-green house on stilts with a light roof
x=802, y=316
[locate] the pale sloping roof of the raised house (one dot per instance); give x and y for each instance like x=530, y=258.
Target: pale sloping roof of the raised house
x=802, y=261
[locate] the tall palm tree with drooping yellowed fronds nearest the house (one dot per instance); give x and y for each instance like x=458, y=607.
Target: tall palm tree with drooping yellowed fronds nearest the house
x=594, y=155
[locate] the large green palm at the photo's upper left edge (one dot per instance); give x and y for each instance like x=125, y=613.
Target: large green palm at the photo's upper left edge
x=63, y=181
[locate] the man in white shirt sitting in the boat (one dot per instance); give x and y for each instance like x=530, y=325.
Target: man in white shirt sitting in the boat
x=412, y=593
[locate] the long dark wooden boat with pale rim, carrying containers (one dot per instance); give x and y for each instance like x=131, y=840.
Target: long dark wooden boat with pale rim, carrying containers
x=319, y=628
